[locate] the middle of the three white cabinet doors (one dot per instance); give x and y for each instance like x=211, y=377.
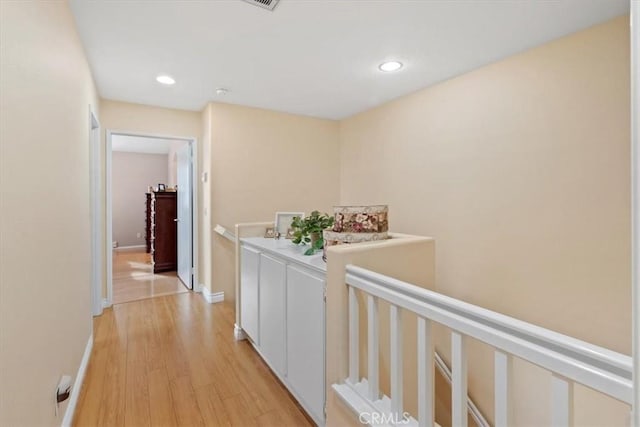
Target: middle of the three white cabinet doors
x=272, y=314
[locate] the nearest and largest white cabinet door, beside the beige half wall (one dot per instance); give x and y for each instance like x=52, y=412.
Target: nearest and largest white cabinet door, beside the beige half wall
x=305, y=337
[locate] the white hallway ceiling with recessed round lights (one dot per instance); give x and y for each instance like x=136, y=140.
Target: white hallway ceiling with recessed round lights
x=310, y=57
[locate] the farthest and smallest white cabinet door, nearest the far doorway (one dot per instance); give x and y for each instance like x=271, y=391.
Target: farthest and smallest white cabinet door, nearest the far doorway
x=249, y=291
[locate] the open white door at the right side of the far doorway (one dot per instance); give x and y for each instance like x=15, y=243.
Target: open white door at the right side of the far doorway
x=185, y=229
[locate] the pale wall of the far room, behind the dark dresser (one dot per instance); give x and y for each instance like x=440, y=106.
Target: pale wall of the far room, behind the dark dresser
x=131, y=176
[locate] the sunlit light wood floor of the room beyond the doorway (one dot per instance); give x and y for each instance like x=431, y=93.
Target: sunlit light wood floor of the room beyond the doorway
x=133, y=277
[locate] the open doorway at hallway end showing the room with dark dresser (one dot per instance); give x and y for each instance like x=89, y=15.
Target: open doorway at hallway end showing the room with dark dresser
x=151, y=216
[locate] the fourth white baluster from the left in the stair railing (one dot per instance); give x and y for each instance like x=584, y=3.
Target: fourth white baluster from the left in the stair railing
x=426, y=391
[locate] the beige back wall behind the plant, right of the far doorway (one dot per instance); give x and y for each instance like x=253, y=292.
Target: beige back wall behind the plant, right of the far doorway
x=262, y=162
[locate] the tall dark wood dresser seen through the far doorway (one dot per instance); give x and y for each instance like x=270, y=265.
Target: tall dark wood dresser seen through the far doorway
x=164, y=231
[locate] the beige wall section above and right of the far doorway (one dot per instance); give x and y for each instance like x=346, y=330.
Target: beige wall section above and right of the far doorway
x=157, y=121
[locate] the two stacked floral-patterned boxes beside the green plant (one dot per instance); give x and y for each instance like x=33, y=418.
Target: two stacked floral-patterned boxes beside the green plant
x=357, y=224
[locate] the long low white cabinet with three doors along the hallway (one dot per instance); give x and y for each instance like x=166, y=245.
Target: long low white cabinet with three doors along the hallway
x=282, y=311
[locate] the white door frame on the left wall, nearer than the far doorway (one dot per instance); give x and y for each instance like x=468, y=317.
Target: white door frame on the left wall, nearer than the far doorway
x=96, y=212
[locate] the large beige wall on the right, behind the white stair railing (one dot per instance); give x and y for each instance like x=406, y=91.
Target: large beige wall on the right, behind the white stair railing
x=520, y=171
